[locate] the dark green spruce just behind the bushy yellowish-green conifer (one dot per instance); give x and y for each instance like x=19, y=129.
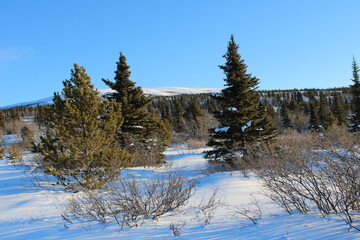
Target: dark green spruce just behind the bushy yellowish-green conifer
x=137, y=119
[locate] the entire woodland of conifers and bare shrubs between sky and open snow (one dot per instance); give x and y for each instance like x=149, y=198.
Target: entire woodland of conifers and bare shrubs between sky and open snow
x=303, y=144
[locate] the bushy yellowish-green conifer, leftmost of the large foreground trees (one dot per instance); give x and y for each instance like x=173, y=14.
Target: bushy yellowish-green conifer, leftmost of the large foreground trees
x=79, y=147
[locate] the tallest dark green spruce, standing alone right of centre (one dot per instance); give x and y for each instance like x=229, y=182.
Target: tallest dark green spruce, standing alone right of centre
x=243, y=121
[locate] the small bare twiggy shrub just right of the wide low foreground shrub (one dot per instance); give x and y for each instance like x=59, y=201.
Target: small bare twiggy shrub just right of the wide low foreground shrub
x=208, y=206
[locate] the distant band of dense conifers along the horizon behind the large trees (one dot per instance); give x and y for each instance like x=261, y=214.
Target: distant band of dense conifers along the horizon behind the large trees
x=190, y=115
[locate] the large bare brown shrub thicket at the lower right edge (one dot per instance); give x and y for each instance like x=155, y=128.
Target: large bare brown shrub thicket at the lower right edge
x=312, y=171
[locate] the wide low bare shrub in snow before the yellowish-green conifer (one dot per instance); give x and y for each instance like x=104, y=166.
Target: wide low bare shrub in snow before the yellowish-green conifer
x=132, y=201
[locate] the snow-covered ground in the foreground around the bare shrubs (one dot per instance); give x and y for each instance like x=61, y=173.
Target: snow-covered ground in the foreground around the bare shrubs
x=29, y=212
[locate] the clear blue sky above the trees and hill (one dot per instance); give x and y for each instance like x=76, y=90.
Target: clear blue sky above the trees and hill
x=286, y=44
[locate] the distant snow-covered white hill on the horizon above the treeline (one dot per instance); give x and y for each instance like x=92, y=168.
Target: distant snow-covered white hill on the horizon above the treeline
x=162, y=91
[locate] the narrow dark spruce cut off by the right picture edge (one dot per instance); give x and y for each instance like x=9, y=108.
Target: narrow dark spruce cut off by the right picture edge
x=355, y=89
